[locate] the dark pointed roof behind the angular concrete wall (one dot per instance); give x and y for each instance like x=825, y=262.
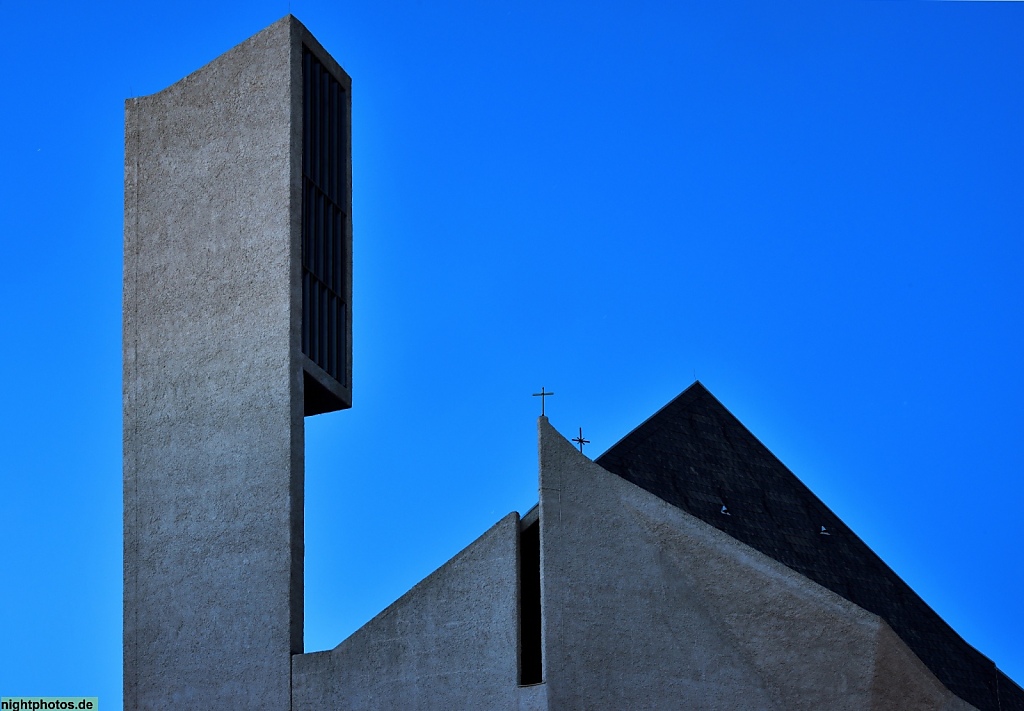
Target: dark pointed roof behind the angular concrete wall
x=695, y=454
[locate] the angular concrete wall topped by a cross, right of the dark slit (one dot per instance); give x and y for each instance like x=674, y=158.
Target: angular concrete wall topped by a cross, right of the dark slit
x=649, y=608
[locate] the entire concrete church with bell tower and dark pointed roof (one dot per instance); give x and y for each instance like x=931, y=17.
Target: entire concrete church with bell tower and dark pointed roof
x=685, y=569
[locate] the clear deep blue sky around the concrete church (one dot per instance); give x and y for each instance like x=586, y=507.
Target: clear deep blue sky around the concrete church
x=816, y=208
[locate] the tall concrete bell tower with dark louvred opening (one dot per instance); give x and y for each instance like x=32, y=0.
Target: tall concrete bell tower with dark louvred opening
x=237, y=325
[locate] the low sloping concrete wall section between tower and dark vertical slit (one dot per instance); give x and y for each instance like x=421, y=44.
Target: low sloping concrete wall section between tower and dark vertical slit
x=448, y=644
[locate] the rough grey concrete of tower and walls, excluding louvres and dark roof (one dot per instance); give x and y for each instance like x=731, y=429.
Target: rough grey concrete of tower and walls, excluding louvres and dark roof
x=645, y=607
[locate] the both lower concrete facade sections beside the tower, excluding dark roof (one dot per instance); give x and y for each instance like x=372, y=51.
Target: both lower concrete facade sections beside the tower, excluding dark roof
x=645, y=607
